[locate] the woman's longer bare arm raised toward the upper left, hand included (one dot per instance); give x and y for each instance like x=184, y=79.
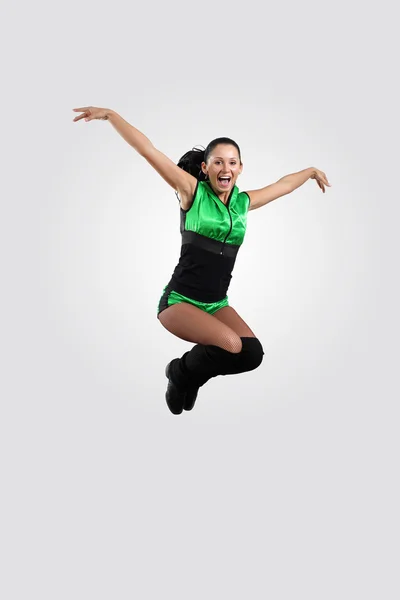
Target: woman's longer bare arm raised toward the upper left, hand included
x=182, y=182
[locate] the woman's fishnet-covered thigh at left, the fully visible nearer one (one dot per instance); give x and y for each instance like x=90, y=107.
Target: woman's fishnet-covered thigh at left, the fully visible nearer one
x=192, y=324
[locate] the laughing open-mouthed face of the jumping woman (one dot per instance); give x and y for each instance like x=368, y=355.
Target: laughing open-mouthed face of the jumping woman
x=223, y=167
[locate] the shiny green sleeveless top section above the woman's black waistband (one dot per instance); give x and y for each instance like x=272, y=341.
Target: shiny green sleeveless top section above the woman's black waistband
x=210, y=217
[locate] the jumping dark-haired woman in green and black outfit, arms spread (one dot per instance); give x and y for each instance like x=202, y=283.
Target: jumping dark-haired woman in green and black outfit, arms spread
x=194, y=305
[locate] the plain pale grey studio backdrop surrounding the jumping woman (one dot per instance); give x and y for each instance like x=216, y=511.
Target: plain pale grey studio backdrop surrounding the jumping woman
x=282, y=482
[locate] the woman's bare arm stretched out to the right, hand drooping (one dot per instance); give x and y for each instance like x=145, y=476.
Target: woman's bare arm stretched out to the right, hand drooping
x=286, y=185
